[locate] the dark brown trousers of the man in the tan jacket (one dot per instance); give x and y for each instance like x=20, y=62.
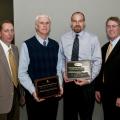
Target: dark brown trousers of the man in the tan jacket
x=14, y=114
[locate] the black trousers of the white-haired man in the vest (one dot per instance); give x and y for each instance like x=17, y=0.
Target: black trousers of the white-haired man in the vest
x=45, y=110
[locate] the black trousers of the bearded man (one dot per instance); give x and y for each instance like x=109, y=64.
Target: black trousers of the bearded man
x=78, y=101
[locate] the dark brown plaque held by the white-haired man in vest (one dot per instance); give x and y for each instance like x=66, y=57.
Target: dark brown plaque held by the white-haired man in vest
x=47, y=87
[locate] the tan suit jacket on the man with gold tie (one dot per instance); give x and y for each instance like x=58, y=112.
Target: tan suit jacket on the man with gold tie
x=6, y=85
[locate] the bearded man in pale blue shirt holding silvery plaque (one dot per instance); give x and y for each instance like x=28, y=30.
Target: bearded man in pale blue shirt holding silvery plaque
x=79, y=95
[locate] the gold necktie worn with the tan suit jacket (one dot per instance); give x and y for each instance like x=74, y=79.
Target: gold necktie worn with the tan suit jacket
x=13, y=67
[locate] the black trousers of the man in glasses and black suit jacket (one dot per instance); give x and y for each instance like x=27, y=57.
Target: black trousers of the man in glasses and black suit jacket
x=111, y=112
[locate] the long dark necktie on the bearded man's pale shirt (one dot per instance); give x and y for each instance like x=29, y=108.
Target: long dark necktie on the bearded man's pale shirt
x=75, y=50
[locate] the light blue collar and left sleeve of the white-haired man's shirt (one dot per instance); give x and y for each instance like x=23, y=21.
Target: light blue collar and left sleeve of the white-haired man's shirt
x=24, y=60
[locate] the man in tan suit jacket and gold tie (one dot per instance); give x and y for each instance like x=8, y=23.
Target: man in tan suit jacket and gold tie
x=9, y=93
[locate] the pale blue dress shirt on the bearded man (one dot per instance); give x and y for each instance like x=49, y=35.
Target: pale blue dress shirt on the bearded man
x=89, y=49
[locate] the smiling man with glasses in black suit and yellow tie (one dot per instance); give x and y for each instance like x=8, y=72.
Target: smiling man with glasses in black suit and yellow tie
x=108, y=81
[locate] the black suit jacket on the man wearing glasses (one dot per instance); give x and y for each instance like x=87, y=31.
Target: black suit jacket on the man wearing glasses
x=111, y=70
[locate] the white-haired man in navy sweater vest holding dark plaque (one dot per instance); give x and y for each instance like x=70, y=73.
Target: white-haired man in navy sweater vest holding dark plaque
x=38, y=59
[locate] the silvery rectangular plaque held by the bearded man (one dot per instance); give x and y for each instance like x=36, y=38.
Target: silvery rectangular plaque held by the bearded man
x=79, y=69
